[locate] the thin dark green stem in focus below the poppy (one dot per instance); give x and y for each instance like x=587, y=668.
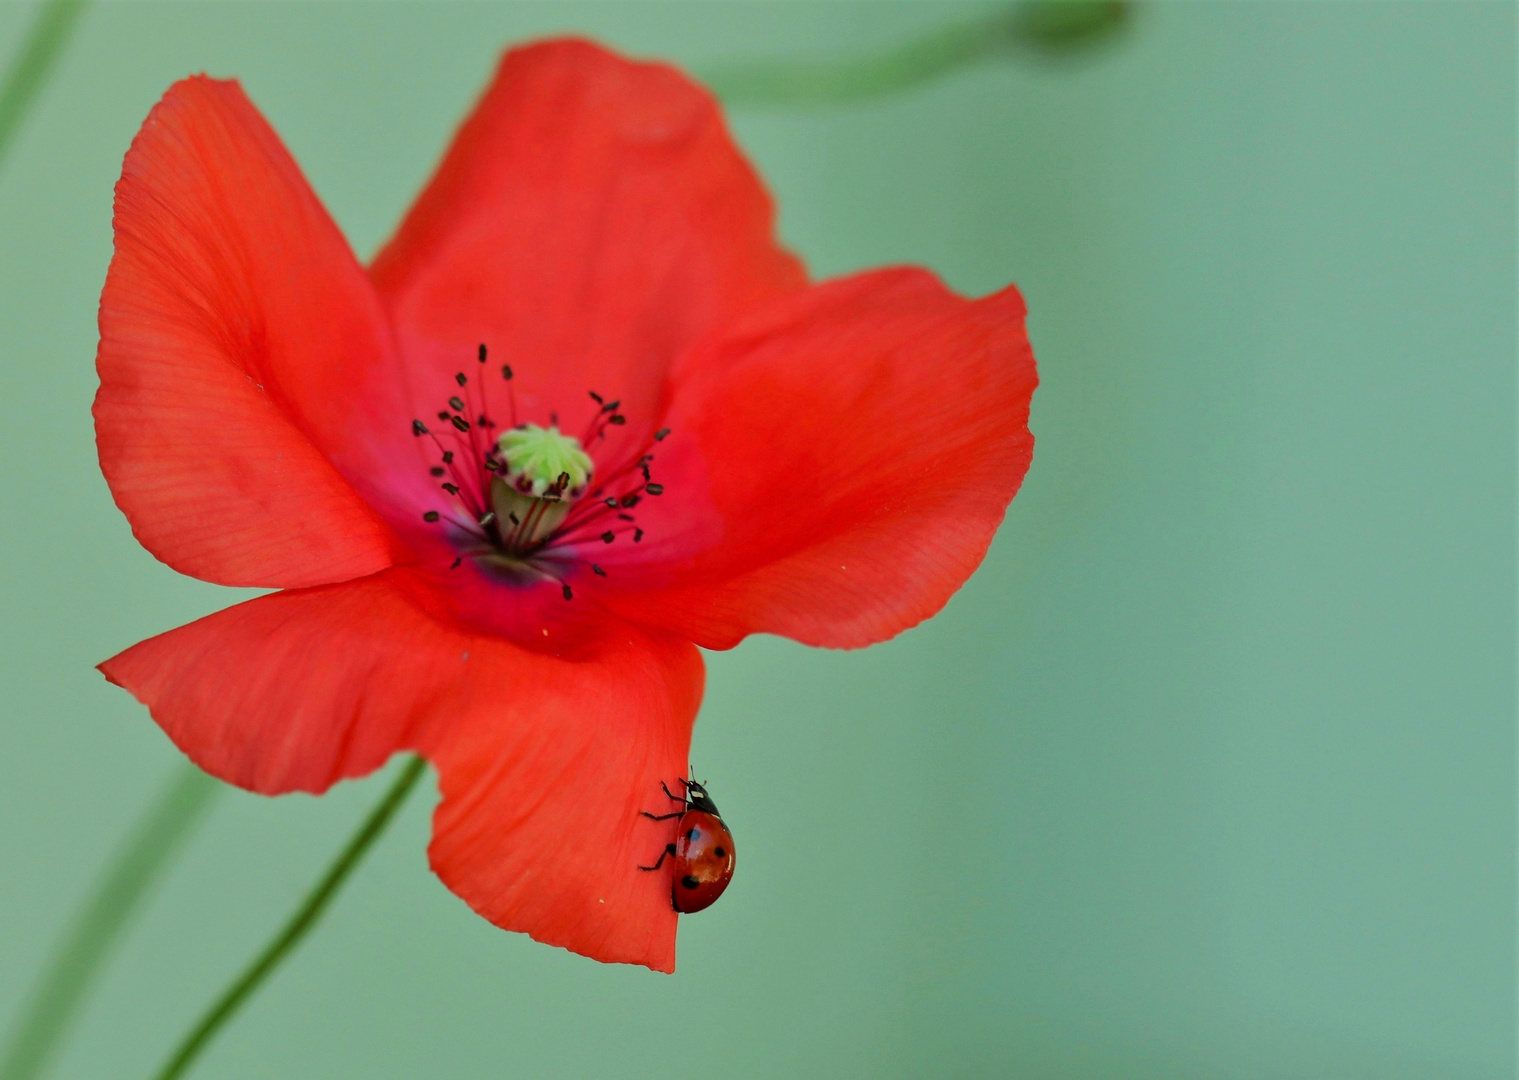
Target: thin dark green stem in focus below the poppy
x=297, y=927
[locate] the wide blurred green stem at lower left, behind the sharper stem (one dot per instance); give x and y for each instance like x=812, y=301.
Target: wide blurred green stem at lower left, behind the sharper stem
x=80, y=955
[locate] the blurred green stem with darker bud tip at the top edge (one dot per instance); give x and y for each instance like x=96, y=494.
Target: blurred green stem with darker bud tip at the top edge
x=1047, y=28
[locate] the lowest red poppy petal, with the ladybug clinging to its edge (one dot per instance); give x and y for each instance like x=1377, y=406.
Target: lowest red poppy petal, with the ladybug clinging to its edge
x=546, y=762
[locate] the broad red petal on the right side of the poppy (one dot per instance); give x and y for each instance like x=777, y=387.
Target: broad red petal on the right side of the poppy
x=857, y=446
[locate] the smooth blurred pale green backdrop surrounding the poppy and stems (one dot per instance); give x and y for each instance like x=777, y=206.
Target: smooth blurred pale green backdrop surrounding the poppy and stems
x=1210, y=771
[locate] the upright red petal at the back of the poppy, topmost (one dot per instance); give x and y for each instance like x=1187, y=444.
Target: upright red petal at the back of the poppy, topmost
x=592, y=219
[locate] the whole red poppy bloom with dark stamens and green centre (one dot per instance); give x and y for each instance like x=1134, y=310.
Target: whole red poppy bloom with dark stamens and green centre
x=455, y=469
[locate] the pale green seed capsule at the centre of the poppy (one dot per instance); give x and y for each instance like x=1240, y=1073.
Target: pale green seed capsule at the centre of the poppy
x=545, y=473
